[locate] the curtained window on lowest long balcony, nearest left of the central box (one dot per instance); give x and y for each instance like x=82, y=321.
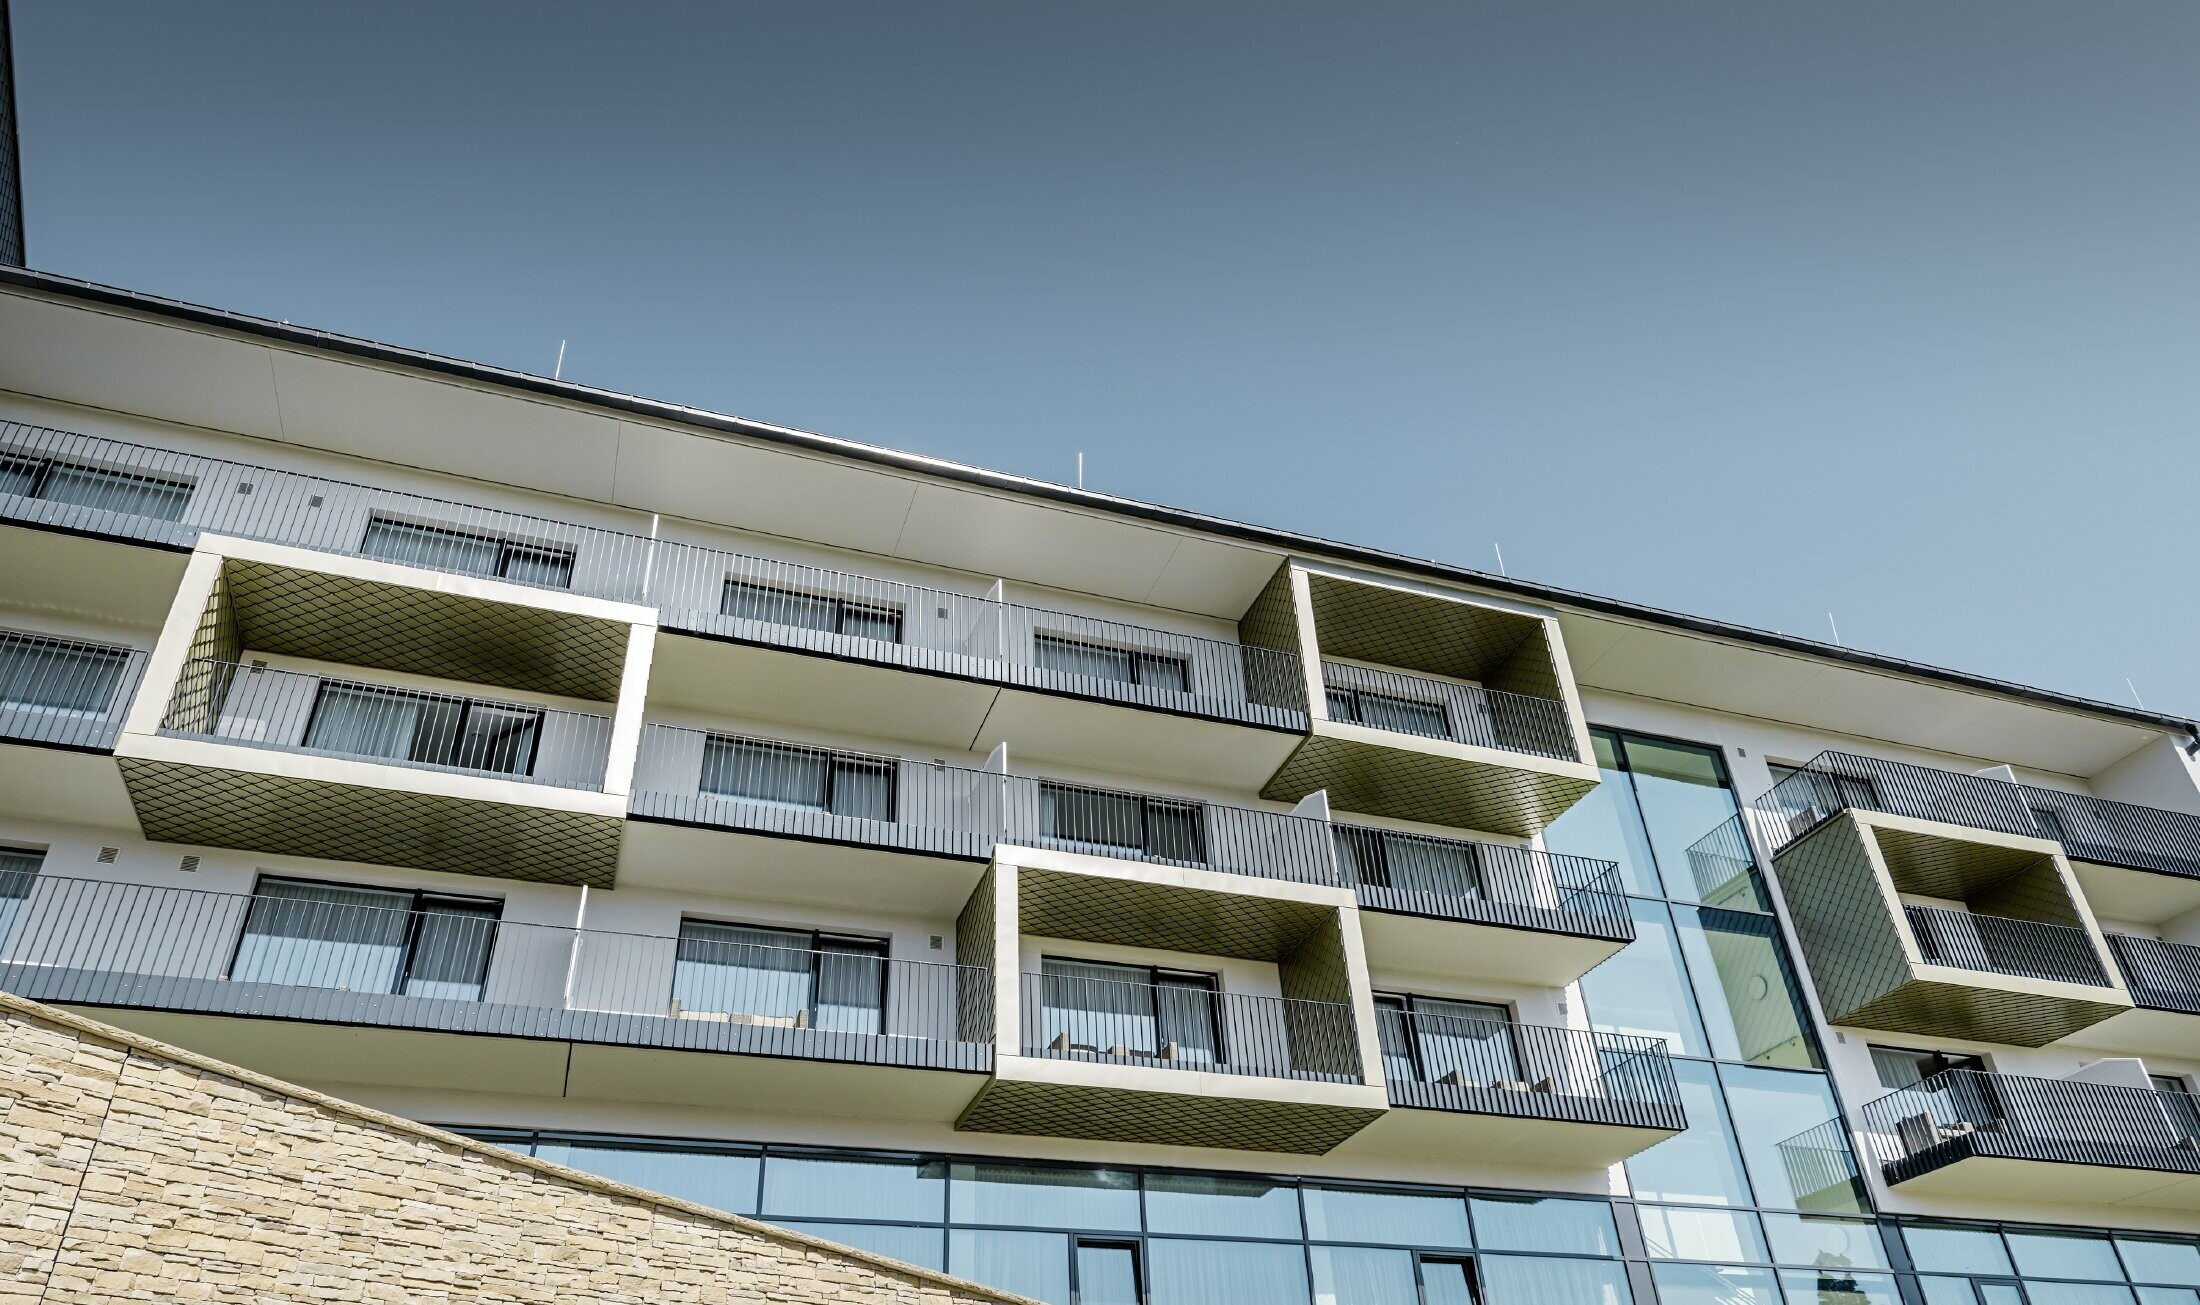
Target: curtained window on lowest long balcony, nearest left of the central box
x=789, y=978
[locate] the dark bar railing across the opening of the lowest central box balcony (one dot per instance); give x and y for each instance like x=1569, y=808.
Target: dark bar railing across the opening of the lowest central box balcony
x=1189, y=1029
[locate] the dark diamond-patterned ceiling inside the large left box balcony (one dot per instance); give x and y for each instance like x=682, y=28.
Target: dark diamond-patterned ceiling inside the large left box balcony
x=426, y=633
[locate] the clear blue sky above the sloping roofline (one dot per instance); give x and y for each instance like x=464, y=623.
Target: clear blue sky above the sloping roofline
x=1759, y=311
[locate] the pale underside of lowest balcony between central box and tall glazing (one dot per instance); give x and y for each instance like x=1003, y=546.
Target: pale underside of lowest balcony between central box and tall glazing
x=1510, y=1128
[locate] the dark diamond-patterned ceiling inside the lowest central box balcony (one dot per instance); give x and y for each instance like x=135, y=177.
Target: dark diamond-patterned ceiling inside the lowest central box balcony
x=1163, y=917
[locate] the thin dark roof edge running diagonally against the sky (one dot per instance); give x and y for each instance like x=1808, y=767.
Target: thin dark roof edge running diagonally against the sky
x=1061, y=494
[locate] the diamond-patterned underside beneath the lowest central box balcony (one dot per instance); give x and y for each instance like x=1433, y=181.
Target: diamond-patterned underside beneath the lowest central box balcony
x=1163, y=1119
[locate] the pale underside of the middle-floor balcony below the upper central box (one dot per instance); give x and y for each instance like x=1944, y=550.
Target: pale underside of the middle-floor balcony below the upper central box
x=1484, y=943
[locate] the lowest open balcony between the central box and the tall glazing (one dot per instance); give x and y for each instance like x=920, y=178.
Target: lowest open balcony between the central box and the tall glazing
x=1519, y=1093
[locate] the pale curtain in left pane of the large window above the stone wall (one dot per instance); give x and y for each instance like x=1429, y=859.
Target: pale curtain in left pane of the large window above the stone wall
x=324, y=936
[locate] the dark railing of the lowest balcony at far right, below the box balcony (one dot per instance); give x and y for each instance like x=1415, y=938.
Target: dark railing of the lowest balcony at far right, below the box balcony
x=1968, y=1112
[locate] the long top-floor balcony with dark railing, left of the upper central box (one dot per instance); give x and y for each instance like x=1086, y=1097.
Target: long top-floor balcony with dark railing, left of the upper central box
x=802, y=639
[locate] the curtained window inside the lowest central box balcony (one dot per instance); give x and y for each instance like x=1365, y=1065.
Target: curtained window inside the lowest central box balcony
x=1130, y=1011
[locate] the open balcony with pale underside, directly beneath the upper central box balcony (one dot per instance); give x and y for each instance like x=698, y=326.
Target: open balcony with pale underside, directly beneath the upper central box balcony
x=1484, y=910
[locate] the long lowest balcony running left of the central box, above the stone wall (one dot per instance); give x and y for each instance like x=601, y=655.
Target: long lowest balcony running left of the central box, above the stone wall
x=313, y=983
